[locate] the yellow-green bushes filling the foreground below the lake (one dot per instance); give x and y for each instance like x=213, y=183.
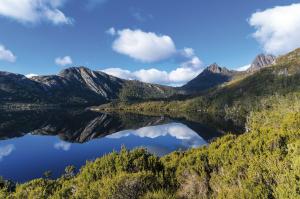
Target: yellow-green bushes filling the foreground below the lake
x=262, y=163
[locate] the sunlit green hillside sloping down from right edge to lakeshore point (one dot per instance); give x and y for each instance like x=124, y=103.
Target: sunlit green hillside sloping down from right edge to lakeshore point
x=233, y=100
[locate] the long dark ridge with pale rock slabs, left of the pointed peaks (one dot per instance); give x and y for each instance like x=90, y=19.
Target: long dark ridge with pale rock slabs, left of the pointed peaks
x=77, y=86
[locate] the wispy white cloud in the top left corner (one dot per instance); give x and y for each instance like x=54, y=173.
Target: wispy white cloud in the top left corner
x=33, y=11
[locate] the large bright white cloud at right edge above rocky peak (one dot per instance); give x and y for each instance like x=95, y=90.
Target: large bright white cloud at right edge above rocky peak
x=278, y=28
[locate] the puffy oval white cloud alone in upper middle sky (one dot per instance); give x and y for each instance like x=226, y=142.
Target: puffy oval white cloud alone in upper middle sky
x=144, y=46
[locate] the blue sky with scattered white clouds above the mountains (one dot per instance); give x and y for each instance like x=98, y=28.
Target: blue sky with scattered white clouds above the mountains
x=167, y=42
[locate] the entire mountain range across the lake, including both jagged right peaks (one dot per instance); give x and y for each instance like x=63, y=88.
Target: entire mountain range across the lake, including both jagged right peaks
x=80, y=86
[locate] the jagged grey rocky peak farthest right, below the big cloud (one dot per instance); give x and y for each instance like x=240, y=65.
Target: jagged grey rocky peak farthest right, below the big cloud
x=261, y=61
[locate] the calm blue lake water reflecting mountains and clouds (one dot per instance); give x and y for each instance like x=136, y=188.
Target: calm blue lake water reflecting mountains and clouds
x=33, y=142
